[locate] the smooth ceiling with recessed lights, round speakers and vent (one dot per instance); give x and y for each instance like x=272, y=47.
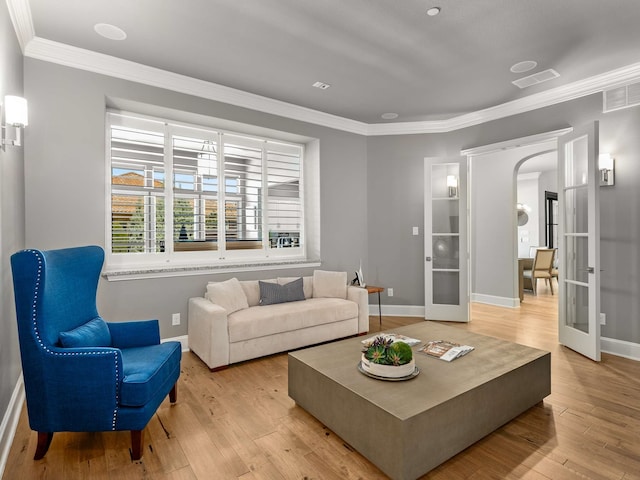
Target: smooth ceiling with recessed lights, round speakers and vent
x=378, y=55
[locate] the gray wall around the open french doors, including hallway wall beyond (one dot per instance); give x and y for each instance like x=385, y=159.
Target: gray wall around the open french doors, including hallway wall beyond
x=395, y=186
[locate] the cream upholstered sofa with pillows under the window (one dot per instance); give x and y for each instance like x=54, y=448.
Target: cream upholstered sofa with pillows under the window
x=233, y=323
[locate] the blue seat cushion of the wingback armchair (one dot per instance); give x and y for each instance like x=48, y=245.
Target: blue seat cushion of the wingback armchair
x=146, y=370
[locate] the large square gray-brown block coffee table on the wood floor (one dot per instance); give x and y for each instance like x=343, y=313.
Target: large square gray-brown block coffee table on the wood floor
x=408, y=428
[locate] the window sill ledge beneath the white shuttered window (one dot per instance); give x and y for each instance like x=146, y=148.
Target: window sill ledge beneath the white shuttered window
x=141, y=273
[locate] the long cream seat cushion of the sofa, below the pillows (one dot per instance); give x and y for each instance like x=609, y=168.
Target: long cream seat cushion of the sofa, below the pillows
x=266, y=320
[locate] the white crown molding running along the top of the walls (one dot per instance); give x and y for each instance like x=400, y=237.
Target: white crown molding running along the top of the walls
x=55, y=52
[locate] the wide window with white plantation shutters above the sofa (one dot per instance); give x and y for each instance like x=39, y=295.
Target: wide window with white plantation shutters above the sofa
x=184, y=195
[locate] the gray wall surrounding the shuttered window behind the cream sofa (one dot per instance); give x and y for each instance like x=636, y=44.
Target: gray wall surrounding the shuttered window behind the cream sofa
x=66, y=184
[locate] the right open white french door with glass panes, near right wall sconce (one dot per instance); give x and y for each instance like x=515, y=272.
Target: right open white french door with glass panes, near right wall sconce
x=579, y=252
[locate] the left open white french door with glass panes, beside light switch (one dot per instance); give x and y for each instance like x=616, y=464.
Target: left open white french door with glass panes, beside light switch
x=445, y=239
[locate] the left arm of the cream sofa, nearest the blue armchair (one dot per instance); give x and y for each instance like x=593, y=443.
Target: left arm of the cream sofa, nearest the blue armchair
x=208, y=332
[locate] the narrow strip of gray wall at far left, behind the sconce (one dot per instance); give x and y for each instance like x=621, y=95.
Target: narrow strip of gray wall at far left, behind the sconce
x=11, y=213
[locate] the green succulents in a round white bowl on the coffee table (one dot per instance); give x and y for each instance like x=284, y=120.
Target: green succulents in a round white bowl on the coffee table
x=384, y=357
